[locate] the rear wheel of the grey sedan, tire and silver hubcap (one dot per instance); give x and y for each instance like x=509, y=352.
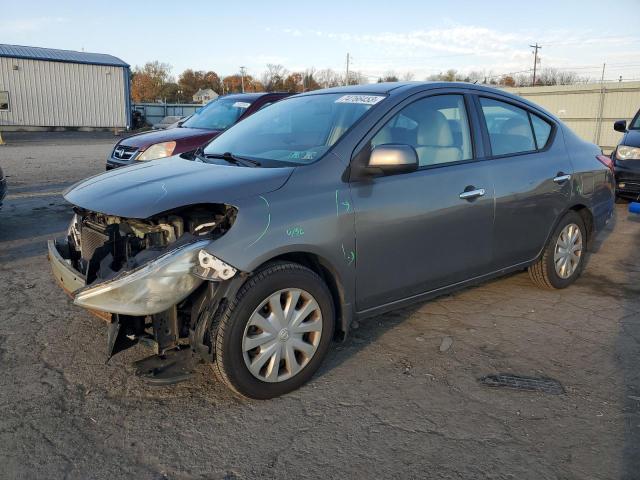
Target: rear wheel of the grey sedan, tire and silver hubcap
x=562, y=261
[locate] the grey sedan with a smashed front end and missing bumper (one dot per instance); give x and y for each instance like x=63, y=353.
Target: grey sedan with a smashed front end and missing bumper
x=326, y=207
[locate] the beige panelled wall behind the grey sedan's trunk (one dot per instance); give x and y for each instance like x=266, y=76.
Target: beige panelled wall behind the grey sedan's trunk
x=589, y=110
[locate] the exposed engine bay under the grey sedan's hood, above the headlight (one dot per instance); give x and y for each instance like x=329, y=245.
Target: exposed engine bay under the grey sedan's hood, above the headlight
x=103, y=245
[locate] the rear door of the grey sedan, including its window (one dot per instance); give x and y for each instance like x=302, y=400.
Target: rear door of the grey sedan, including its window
x=531, y=173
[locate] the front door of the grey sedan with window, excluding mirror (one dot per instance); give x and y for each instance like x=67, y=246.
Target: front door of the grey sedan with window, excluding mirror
x=420, y=231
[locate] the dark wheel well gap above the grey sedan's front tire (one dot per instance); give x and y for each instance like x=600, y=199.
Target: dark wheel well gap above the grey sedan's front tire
x=330, y=278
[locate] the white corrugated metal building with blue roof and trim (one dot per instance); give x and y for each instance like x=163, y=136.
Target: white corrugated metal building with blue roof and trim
x=47, y=88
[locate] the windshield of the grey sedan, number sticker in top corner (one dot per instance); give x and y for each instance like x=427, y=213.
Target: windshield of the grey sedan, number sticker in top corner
x=297, y=130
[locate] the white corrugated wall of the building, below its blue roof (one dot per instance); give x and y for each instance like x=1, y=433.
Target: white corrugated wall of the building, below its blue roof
x=57, y=94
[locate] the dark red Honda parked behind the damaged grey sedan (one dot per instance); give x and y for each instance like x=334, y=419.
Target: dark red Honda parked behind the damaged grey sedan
x=194, y=132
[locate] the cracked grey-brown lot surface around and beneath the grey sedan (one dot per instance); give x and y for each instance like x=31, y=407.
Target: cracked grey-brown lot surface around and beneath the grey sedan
x=388, y=403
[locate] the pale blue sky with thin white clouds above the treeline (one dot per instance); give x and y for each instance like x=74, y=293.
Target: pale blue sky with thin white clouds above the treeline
x=423, y=37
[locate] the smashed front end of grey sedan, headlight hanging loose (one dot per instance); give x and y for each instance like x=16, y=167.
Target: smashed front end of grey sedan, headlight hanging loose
x=151, y=279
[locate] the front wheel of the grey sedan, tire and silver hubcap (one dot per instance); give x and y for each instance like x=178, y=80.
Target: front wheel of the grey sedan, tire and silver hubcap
x=275, y=334
